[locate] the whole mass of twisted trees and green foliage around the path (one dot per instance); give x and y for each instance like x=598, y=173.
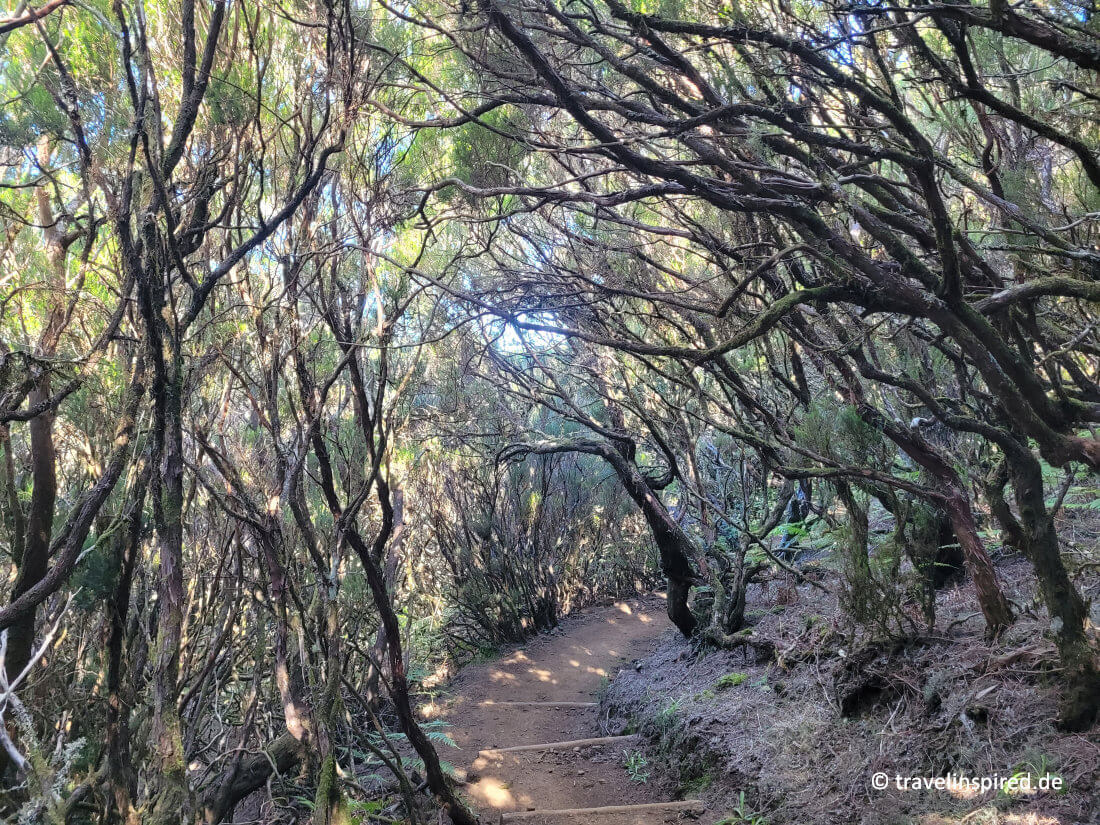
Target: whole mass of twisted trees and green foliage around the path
x=340, y=340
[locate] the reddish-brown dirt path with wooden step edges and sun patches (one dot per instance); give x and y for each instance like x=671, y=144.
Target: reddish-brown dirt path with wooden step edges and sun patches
x=566, y=667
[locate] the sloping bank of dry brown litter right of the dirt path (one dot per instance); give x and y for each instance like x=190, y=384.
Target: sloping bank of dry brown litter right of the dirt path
x=802, y=735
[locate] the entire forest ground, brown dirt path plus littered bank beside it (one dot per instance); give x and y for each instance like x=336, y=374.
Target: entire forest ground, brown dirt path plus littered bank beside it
x=793, y=740
